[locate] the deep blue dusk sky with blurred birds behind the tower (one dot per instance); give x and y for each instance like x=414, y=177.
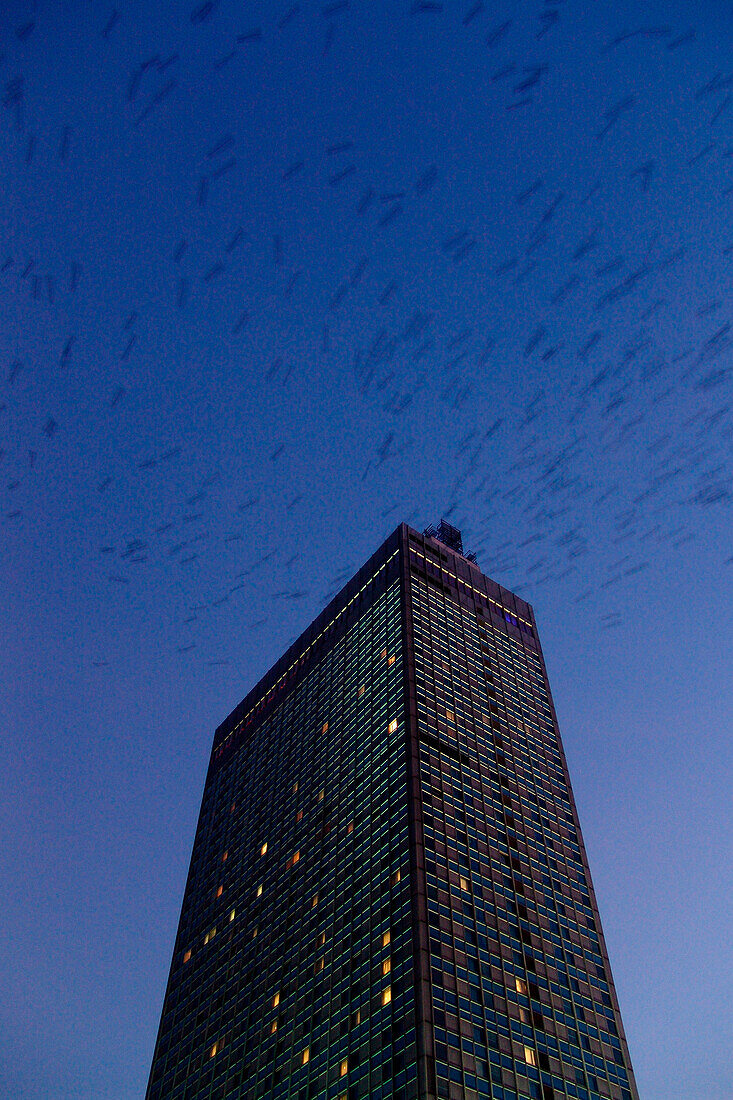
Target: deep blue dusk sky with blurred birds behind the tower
x=276, y=278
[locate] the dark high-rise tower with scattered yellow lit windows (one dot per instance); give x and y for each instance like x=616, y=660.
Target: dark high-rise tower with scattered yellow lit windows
x=389, y=894
